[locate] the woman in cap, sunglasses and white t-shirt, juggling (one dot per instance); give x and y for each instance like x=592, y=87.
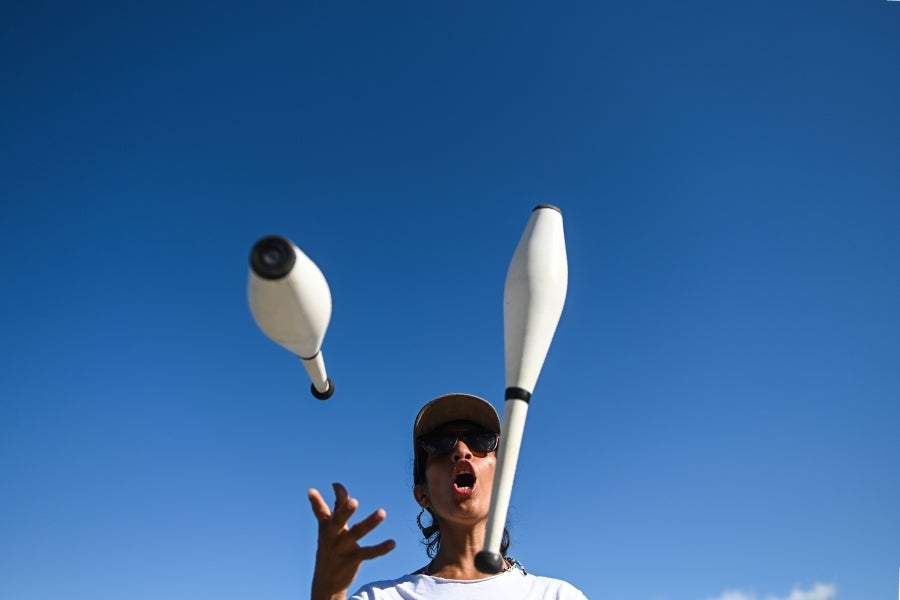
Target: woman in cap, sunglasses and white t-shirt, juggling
x=455, y=439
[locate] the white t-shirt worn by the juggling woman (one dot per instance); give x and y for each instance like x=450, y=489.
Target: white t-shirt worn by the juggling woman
x=513, y=584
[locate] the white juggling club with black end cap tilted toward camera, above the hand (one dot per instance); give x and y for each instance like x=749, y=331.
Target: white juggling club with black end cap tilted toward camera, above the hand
x=291, y=303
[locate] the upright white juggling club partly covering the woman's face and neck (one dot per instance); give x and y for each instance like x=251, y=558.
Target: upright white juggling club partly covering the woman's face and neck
x=533, y=299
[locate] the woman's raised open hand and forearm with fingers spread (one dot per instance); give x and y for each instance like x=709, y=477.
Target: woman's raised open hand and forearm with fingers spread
x=339, y=555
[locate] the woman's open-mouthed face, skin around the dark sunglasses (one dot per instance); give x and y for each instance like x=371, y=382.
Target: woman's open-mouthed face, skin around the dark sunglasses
x=458, y=484
